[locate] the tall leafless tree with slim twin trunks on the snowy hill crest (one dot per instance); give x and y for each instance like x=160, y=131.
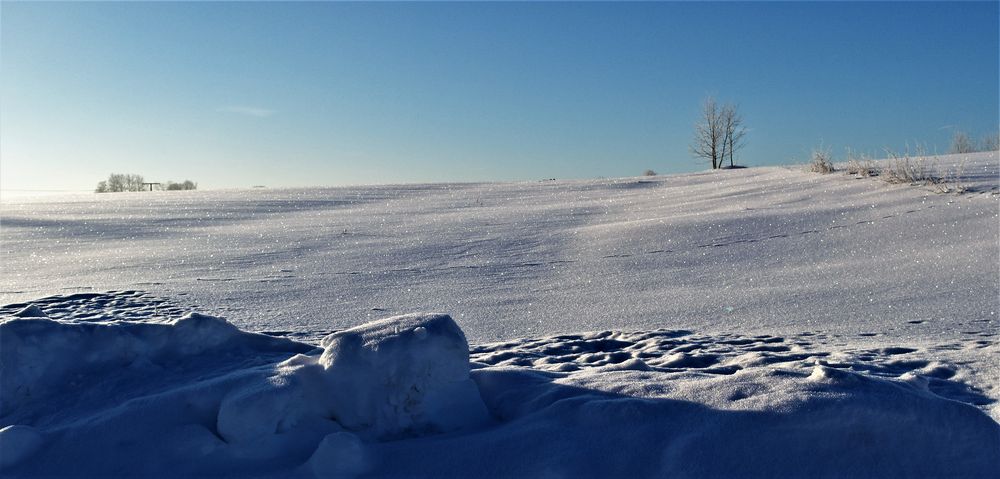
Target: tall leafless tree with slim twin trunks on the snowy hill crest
x=718, y=134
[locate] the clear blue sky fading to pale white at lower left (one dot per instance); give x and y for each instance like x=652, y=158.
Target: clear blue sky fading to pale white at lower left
x=282, y=94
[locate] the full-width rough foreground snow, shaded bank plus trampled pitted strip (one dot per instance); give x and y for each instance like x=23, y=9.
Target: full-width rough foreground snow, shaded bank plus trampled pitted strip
x=193, y=395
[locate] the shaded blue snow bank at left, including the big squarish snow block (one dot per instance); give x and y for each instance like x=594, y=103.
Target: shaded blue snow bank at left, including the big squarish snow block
x=197, y=395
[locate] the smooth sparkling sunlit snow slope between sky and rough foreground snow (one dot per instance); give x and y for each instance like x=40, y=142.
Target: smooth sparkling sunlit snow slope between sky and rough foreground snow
x=775, y=250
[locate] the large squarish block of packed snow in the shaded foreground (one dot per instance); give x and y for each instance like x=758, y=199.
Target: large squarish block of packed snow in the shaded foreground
x=401, y=376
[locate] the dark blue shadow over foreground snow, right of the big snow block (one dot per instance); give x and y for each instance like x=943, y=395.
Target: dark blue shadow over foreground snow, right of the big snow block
x=853, y=427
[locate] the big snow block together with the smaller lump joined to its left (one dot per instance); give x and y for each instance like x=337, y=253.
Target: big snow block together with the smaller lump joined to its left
x=398, y=377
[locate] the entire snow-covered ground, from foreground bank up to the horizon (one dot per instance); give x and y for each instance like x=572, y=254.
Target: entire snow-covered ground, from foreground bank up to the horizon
x=763, y=322
